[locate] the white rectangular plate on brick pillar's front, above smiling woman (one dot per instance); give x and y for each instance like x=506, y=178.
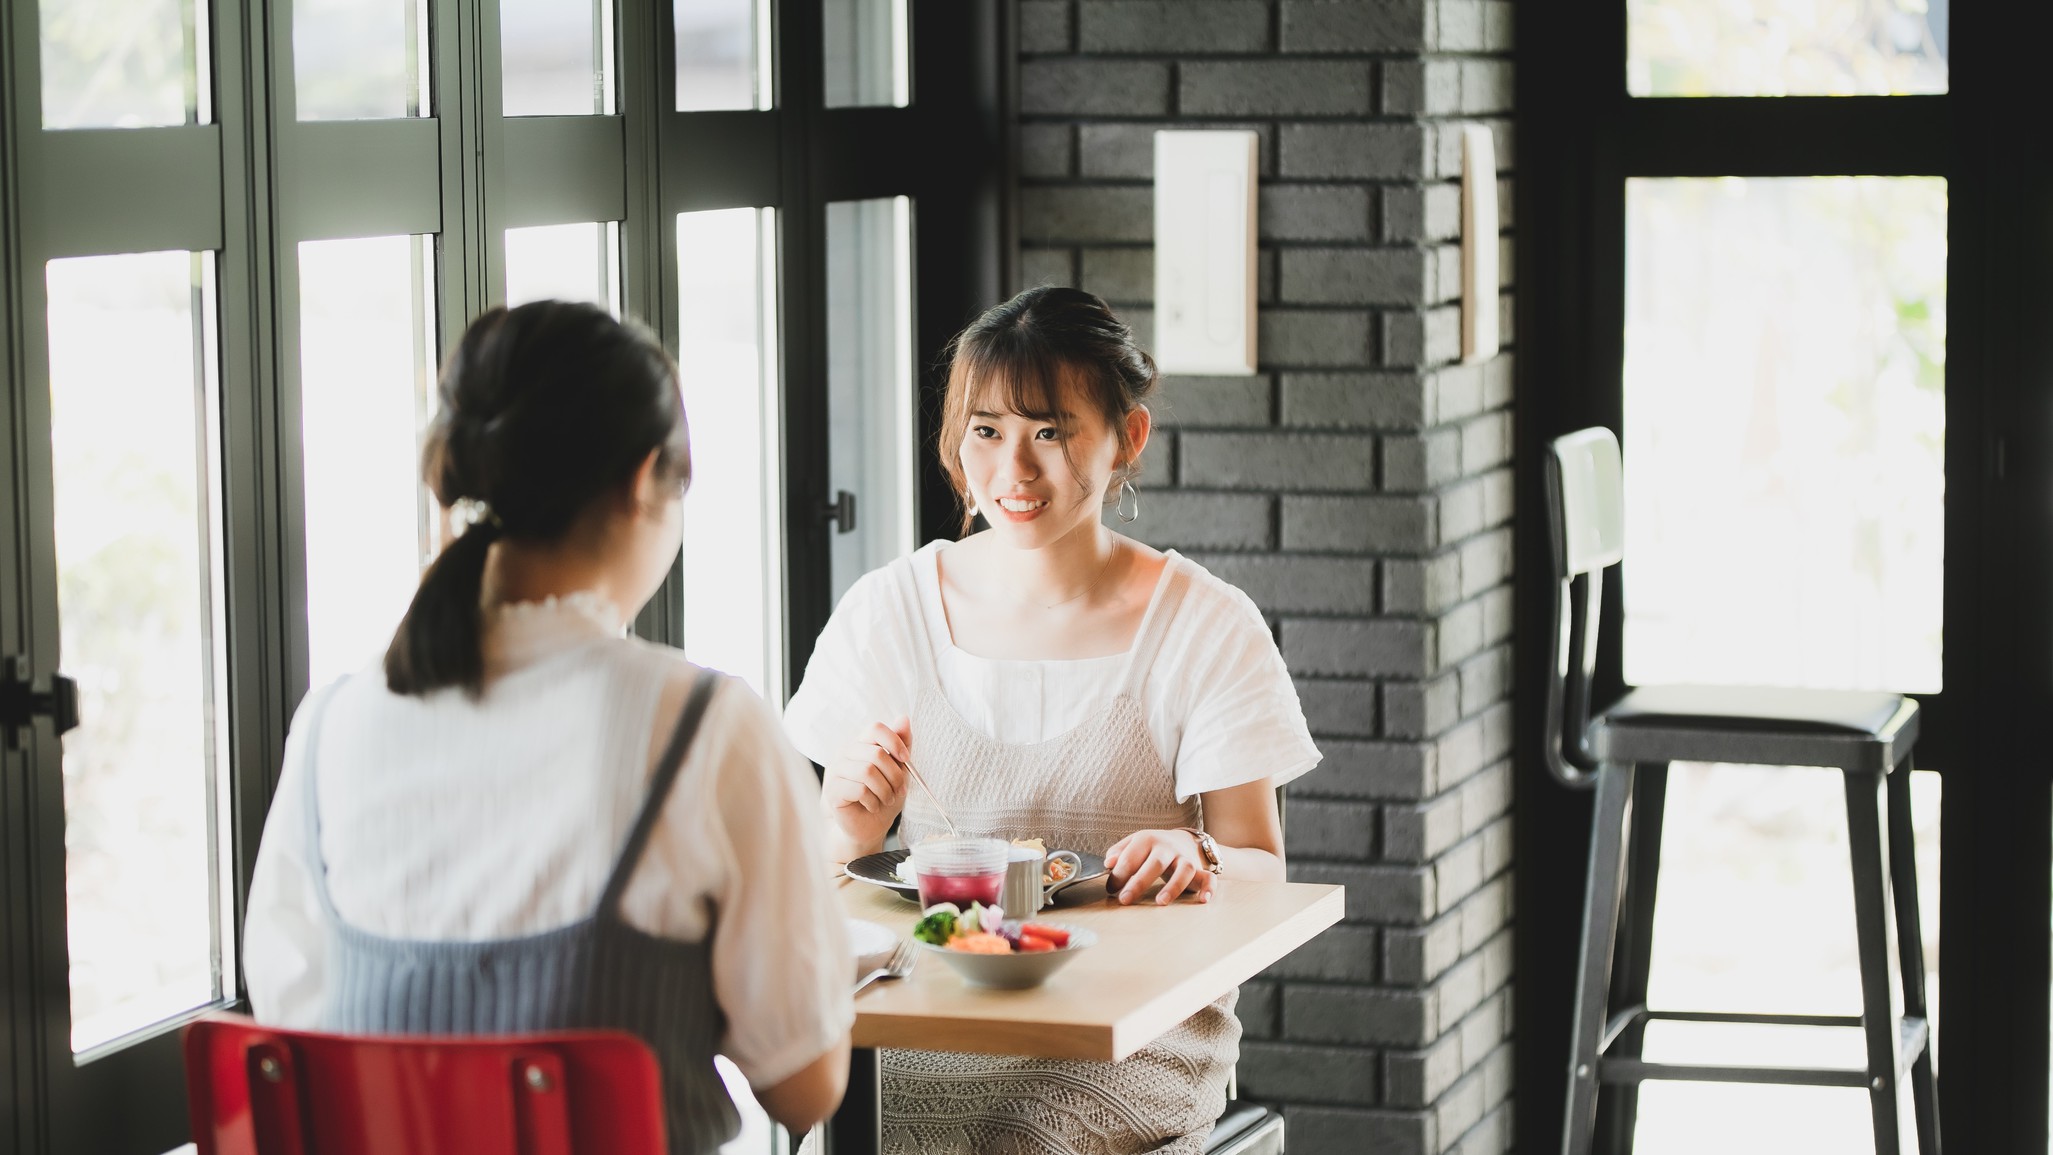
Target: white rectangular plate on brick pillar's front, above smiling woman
x=1206, y=251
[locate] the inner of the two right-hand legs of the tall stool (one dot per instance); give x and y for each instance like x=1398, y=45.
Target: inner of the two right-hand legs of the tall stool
x=1877, y=965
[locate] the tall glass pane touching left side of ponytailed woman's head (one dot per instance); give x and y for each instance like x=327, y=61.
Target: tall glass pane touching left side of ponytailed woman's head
x=366, y=391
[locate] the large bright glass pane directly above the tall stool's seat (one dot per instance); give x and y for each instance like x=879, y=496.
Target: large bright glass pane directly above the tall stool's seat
x=1785, y=432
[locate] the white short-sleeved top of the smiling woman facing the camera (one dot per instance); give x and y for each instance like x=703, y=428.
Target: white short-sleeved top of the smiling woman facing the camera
x=1221, y=705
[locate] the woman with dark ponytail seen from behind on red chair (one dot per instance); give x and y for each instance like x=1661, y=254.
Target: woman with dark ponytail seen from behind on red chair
x=561, y=826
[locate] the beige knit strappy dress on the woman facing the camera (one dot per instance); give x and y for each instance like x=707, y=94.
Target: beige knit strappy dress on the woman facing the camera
x=1079, y=791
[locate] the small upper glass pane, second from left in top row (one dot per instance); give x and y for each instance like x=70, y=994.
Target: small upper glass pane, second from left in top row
x=360, y=61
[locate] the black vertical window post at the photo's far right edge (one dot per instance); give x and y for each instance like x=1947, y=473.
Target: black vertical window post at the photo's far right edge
x=1999, y=824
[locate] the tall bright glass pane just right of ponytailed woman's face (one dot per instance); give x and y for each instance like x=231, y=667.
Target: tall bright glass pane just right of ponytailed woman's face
x=734, y=516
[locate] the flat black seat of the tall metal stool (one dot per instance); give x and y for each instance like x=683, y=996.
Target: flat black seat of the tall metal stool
x=1758, y=727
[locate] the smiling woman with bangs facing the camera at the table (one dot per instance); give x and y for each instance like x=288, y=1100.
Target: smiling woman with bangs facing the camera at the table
x=1056, y=680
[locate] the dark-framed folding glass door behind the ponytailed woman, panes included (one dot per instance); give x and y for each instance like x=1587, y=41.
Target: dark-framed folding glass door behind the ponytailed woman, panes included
x=235, y=245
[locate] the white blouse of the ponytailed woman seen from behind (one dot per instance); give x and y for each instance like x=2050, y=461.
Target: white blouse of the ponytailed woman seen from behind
x=455, y=820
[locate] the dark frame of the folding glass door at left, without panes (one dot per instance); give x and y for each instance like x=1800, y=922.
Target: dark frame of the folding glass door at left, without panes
x=251, y=188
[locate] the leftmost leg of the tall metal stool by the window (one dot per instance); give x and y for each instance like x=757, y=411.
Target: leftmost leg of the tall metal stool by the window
x=1600, y=932
